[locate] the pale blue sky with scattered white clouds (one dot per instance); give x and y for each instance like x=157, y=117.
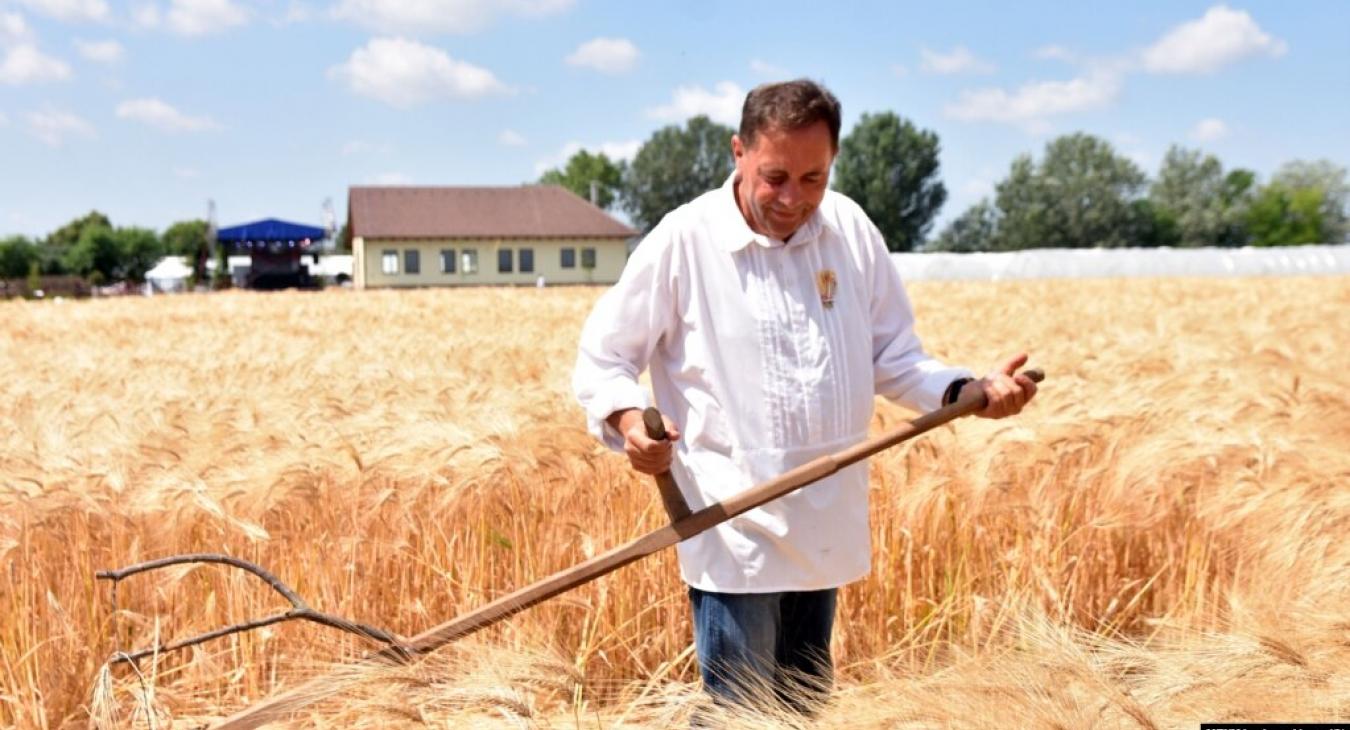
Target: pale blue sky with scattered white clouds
x=148, y=110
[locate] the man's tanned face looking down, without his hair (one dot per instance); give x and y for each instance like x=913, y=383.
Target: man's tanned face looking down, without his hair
x=784, y=177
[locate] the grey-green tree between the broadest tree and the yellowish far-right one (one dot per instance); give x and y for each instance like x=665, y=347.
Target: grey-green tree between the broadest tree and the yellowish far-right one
x=1197, y=199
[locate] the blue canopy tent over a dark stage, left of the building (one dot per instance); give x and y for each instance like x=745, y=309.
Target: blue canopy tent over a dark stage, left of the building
x=275, y=249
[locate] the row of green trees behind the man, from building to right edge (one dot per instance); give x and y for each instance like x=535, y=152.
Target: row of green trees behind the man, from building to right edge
x=1079, y=195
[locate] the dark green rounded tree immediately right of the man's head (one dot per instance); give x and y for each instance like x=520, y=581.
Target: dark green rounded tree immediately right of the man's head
x=889, y=167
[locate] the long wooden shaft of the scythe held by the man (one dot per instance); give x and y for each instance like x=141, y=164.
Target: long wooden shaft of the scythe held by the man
x=286, y=705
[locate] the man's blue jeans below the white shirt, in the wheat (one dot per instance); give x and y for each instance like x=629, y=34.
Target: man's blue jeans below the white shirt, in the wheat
x=755, y=648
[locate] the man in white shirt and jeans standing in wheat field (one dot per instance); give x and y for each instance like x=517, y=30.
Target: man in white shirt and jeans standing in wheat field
x=770, y=316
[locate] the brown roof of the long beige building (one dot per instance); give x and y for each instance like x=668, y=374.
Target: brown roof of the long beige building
x=522, y=213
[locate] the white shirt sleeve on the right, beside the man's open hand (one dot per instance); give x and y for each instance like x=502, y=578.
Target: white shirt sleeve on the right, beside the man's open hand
x=901, y=369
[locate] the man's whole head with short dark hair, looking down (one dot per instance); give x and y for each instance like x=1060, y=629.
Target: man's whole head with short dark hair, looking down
x=784, y=153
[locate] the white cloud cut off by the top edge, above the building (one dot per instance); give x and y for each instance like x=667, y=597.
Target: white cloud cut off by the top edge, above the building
x=423, y=17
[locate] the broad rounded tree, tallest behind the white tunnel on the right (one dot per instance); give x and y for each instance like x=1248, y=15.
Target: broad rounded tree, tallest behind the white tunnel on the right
x=1079, y=196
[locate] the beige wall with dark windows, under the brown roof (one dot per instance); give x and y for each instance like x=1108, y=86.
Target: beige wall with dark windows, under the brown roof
x=611, y=256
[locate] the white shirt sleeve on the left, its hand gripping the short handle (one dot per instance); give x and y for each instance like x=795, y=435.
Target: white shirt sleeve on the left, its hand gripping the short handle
x=620, y=335
